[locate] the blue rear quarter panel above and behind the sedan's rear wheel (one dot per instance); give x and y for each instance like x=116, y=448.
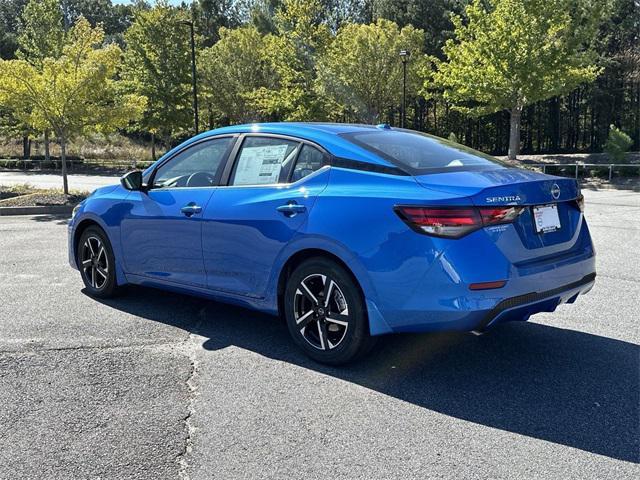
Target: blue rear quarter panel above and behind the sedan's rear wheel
x=354, y=219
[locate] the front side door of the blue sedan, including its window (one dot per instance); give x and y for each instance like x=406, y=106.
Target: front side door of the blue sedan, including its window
x=161, y=234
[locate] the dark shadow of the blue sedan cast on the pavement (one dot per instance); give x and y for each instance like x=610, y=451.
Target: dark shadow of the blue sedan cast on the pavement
x=562, y=386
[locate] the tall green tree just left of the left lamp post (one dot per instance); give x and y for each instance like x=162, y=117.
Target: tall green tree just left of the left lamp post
x=157, y=65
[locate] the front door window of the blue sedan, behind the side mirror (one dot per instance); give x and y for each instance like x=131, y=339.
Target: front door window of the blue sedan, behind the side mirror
x=197, y=166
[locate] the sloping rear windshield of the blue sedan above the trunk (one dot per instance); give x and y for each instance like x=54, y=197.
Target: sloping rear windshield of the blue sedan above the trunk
x=419, y=153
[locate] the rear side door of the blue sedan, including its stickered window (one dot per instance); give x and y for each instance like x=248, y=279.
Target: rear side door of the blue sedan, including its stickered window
x=271, y=188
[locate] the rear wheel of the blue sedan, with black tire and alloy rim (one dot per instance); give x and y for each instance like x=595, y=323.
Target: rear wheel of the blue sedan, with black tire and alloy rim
x=333, y=330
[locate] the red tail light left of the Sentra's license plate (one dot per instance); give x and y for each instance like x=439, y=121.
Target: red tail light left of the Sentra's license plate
x=455, y=222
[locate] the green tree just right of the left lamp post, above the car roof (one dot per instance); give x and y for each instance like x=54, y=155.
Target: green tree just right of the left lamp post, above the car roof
x=230, y=72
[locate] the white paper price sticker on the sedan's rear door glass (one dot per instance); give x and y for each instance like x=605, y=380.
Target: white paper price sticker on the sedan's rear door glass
x=260, y=165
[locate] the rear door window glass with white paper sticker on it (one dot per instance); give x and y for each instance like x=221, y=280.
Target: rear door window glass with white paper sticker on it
x=264, y=161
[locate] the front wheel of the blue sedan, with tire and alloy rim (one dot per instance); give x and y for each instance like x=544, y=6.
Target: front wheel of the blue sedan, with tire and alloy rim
x=95, y=260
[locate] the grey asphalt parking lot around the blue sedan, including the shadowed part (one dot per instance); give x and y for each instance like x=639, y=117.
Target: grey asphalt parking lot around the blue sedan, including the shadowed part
x=154, y=385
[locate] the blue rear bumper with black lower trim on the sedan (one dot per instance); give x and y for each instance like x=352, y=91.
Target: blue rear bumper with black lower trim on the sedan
x=440, y=298
